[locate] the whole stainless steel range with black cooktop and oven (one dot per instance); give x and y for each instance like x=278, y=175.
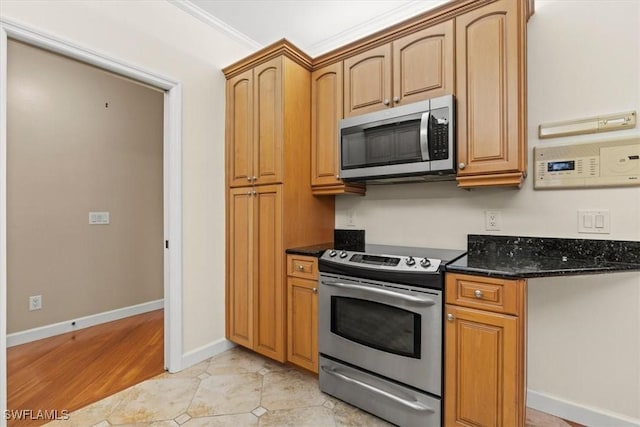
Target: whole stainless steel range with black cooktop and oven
x=380, y=330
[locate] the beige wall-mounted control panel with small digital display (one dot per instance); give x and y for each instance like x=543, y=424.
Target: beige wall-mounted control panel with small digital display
x=610, y=163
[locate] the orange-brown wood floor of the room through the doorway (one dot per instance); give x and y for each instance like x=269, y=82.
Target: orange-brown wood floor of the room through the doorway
x=69, y=371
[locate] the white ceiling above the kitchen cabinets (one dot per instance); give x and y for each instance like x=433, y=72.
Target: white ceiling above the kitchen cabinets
x=315, y=26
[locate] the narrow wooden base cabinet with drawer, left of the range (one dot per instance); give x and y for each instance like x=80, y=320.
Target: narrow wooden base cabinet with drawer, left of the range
x=302, y=311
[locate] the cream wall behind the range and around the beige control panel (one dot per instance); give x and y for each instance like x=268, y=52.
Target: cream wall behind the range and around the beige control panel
x=584, y=332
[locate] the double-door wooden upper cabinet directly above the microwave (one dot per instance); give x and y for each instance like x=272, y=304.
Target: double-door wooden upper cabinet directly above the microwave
x=415, y=67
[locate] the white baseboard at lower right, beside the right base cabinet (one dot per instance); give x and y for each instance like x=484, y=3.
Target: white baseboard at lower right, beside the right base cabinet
x=589, y=416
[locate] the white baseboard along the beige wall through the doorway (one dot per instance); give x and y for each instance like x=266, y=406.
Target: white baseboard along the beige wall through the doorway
x=47, y=331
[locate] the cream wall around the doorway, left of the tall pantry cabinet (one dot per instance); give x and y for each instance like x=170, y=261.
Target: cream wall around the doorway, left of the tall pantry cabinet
x=163, y=39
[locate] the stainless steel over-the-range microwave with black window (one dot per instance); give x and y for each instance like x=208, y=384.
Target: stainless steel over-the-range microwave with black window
x=400, y=144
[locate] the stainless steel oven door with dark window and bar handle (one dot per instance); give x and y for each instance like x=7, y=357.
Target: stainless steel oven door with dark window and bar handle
x=392, y=330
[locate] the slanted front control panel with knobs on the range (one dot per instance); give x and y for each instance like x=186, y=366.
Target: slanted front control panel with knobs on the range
x=397, y=263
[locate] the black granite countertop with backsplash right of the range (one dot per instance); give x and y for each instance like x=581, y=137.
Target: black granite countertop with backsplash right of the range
x=526, y=257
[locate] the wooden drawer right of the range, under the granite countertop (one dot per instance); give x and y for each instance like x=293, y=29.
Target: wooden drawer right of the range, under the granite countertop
x=485, y=293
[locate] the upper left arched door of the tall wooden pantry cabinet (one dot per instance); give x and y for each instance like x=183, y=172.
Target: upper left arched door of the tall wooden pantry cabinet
x=240, y=129
